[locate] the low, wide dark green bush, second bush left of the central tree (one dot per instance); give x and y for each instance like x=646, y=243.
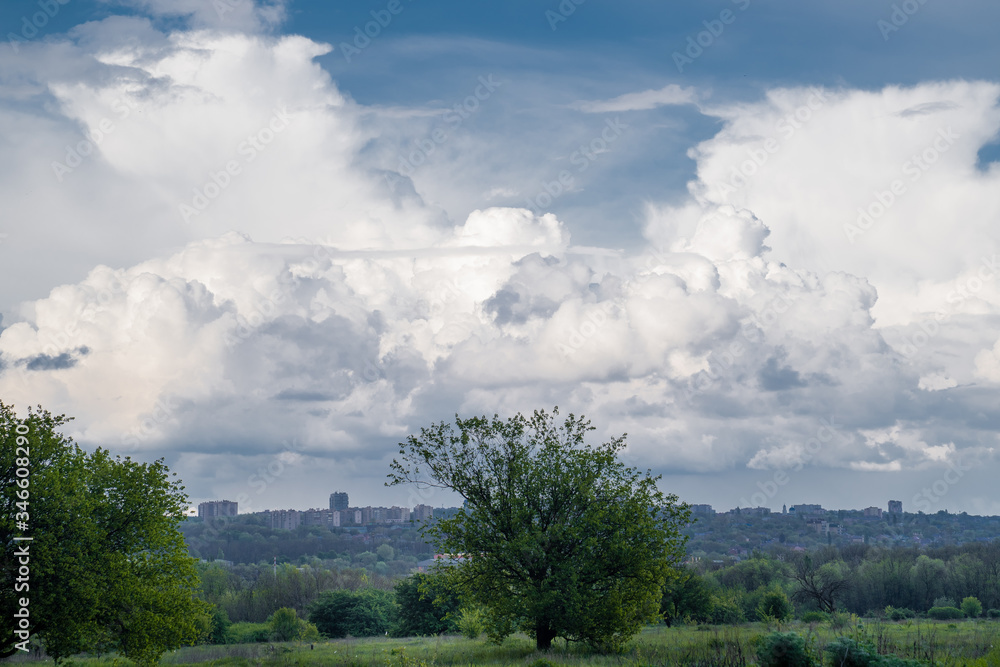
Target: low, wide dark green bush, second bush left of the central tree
x=366, y=613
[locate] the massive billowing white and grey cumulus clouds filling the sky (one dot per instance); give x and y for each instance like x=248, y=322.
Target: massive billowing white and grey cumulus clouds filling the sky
x=265, y=298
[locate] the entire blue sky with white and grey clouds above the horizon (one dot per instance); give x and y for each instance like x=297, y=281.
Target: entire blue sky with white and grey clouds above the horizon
x=268, y=240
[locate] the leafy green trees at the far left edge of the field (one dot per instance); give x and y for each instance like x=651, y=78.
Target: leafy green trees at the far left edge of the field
x=109, y=568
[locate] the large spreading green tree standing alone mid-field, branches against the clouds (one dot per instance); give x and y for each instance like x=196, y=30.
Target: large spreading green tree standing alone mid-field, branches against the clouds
x=558, y=537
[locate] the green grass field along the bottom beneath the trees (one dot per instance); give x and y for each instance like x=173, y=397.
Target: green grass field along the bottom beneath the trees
x=935, y=643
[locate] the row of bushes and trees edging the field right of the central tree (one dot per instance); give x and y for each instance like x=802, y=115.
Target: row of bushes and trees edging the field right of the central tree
x=857, y=578
